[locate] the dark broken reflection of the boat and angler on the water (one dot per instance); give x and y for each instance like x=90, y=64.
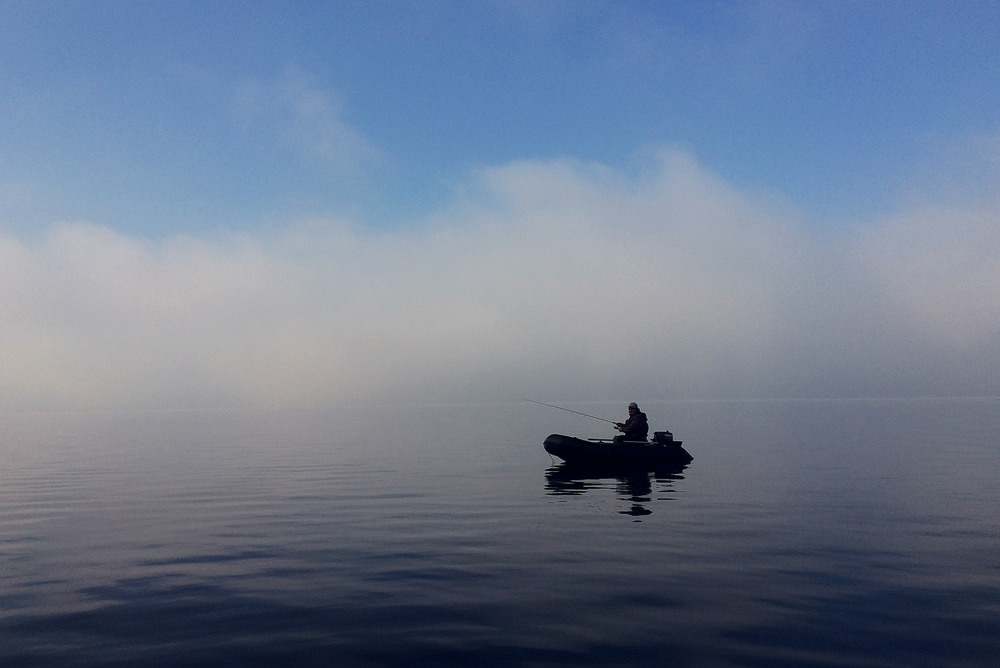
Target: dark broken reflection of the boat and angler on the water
x=634, y=485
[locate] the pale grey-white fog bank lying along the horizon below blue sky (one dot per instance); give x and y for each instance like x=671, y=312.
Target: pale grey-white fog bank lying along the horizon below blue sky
x=550, y=279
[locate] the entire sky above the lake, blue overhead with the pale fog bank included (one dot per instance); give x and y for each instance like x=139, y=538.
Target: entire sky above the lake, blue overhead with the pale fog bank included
x=196, y=197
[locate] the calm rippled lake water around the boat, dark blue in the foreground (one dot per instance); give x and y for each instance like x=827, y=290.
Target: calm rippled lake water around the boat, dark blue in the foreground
x=804, y=533
